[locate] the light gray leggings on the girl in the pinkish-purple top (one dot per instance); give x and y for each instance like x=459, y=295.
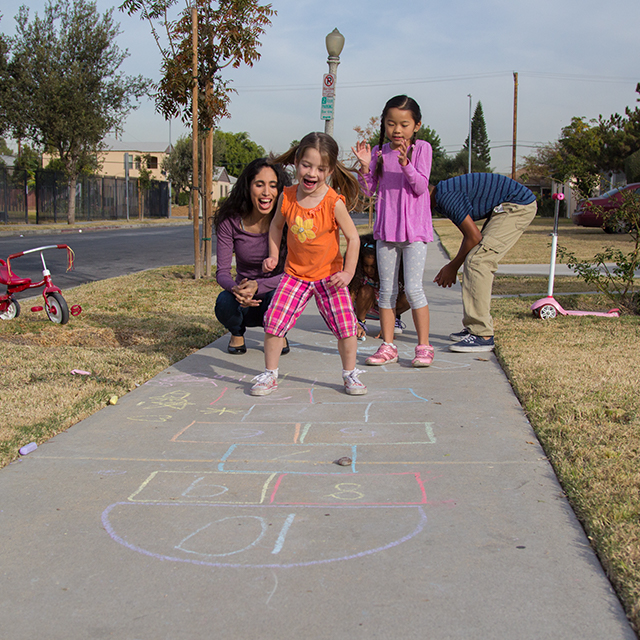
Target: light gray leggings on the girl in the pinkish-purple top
x=414, y=256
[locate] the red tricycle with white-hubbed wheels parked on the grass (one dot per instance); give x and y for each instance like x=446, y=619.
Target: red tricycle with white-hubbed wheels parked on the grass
x=55, y=305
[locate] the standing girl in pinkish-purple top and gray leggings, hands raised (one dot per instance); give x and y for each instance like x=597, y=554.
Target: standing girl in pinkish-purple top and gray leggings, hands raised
x=399, y=171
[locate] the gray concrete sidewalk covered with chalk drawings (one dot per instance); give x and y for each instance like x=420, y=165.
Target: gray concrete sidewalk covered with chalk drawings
x=193, y=510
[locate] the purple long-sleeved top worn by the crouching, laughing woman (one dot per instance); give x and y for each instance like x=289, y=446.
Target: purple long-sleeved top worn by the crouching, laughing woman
x=250, y=249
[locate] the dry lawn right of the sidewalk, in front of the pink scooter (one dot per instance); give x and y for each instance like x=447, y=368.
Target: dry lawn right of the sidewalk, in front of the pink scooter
x=578, y=380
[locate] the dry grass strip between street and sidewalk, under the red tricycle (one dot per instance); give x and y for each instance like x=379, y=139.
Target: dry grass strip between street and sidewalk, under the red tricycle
x=130, y=329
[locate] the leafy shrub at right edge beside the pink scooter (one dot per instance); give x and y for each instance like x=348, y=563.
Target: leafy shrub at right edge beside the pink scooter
x=617, y=282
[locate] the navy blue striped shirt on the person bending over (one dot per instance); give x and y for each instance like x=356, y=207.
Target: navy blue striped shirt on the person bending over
x=476, y=195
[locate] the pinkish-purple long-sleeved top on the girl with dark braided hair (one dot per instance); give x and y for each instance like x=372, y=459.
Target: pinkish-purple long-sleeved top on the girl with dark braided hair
x=404, y=206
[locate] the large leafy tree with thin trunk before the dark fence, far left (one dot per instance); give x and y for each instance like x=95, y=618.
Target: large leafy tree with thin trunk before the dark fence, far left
x=66, y=91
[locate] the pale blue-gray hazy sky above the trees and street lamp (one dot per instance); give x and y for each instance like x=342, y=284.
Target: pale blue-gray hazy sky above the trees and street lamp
x=573, y=58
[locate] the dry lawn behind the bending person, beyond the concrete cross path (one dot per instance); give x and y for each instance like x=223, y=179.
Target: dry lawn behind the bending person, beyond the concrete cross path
x=534, y=247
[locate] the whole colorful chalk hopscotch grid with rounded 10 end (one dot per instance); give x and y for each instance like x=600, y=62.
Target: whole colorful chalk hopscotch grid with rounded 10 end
x=274, y=499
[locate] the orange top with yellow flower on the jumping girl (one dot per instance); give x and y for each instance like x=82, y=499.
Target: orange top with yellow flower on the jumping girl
x=313, y=238
